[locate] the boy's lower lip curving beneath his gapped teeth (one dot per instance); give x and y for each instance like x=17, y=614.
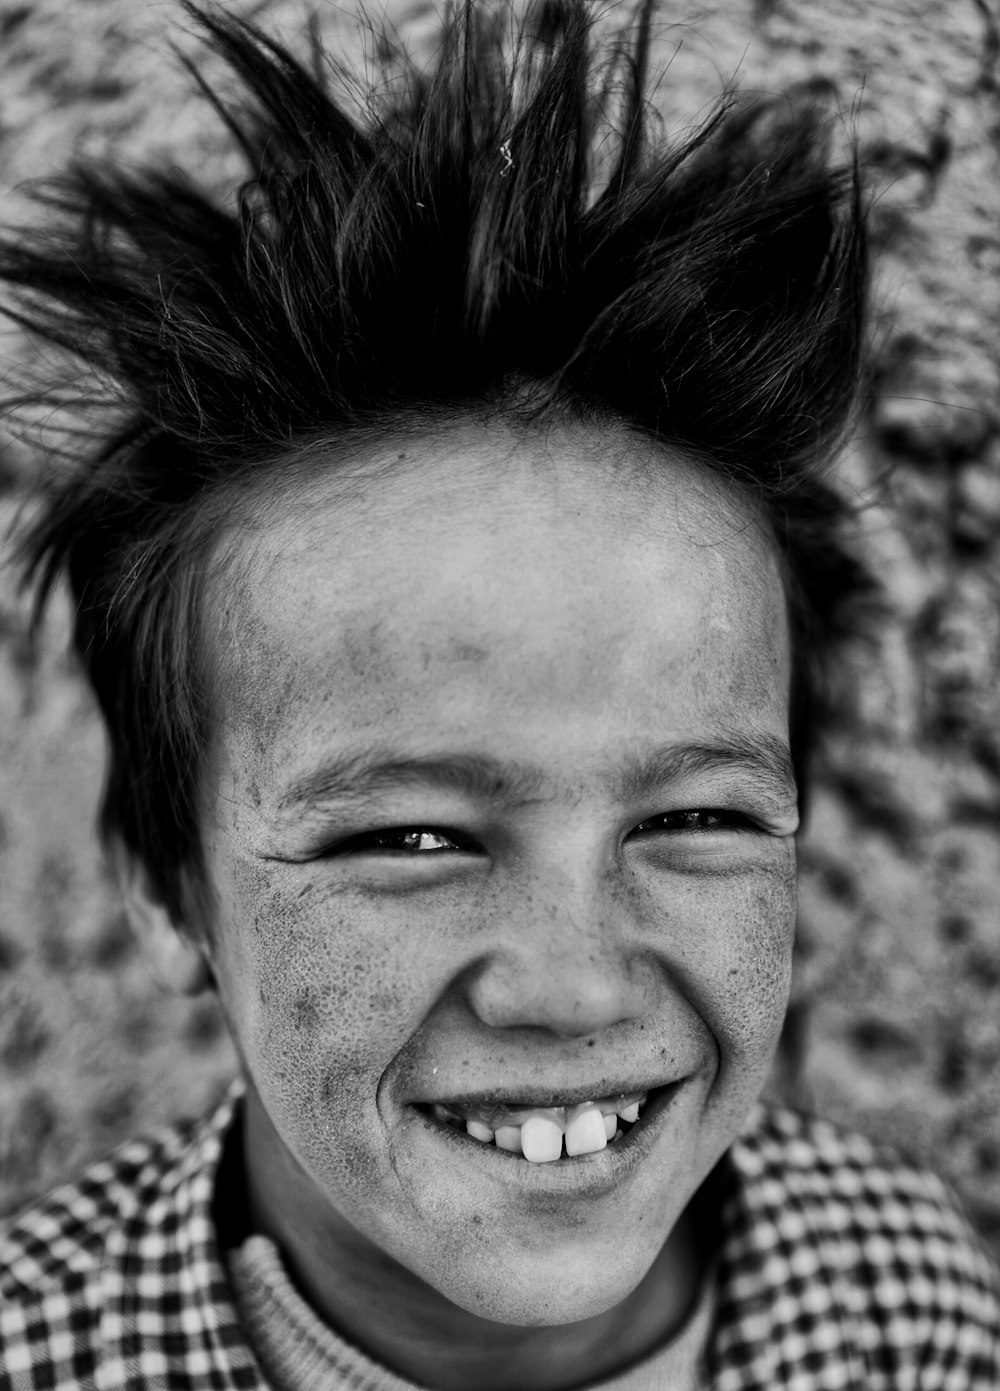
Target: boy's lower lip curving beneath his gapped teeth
x=585, y=1175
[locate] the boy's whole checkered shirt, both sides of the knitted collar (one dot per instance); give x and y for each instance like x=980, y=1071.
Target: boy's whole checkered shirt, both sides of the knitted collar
x=839, y=1269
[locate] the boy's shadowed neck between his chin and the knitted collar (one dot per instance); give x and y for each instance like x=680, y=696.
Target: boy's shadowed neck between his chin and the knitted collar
x=408, y=1326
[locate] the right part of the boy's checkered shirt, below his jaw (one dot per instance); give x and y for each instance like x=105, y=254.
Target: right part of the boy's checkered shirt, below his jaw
x=846, y=1257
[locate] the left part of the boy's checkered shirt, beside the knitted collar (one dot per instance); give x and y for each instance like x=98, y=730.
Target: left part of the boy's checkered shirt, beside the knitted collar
x=94, y=1275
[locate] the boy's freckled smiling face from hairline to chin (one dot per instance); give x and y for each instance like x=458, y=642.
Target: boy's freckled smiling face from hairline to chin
x=500, y=820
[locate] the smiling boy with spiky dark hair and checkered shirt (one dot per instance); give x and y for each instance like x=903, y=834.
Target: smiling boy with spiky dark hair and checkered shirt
x=455, y=575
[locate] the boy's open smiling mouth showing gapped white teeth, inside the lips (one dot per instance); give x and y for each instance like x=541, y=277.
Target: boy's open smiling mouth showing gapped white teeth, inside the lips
x=546, y=1134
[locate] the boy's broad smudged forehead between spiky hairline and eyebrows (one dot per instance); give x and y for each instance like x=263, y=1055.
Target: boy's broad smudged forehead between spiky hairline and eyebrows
x=475, y=570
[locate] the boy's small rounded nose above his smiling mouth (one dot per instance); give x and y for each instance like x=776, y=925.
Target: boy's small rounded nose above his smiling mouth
x=567, y=963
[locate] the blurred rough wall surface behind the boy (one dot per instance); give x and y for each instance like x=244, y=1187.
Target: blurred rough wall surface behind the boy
x=896, y=1023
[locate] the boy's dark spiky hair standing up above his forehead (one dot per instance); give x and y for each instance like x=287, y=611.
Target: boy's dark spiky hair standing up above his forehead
x=469, y=248
